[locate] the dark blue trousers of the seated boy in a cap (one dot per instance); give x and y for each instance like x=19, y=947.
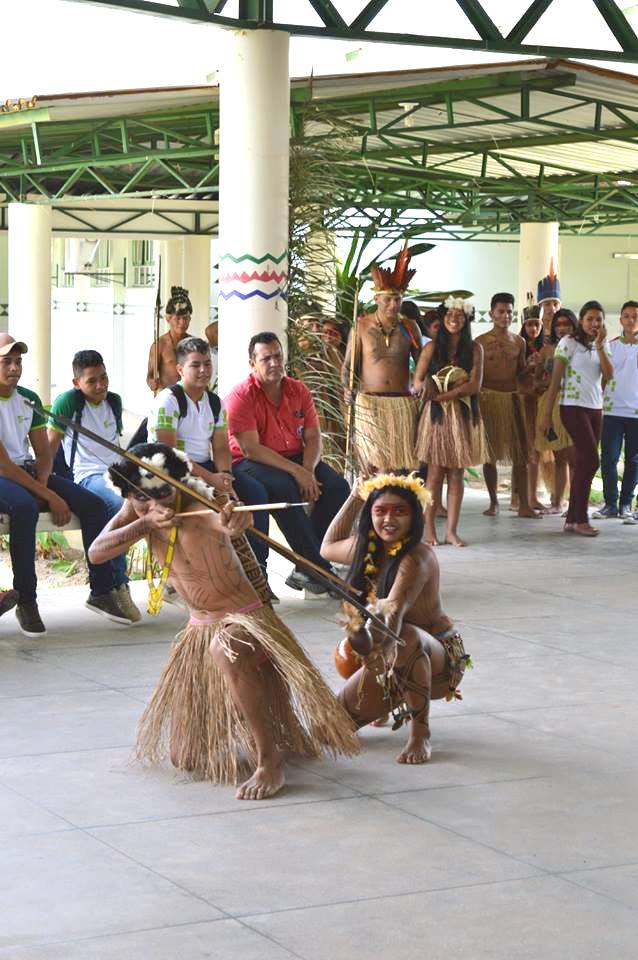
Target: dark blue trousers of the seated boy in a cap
x=23, y=509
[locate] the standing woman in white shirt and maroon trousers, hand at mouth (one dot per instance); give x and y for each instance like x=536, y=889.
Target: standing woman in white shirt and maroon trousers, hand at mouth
x=581, y=361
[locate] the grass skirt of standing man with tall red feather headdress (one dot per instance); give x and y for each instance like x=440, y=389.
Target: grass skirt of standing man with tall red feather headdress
x=385, y=432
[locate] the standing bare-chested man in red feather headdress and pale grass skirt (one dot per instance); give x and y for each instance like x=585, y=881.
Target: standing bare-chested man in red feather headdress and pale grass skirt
x=379, y=348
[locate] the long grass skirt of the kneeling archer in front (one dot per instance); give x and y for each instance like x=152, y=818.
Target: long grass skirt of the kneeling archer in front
x=192, y=717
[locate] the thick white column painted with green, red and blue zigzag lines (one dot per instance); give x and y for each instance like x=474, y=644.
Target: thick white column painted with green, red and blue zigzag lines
x=253, y=195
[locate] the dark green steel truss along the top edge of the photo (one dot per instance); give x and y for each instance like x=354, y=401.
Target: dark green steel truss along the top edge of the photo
x=255, y=14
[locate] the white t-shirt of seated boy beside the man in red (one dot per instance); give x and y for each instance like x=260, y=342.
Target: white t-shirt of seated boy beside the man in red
x=194, y=431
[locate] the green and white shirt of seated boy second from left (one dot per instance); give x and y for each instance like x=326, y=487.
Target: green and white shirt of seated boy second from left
x=90, y=457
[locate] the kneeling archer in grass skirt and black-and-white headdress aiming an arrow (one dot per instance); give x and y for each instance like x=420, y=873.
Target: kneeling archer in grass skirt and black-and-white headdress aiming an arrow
x=236, y=681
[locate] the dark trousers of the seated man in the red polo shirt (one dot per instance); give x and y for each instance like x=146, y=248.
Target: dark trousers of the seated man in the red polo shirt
x=304, y=533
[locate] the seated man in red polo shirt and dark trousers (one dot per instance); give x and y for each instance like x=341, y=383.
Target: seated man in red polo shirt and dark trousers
x=274, y=437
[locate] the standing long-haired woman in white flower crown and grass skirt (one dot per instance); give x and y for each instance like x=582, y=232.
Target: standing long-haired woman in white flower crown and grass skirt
x=450, y=434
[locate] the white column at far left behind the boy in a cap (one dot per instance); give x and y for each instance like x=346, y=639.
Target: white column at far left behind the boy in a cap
x=30, y=291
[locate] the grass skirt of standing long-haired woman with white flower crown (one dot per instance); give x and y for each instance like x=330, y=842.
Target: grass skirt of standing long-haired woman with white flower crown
x=452, y=442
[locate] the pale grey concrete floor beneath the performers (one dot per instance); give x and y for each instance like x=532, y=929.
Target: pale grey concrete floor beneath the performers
x=517, y=841
